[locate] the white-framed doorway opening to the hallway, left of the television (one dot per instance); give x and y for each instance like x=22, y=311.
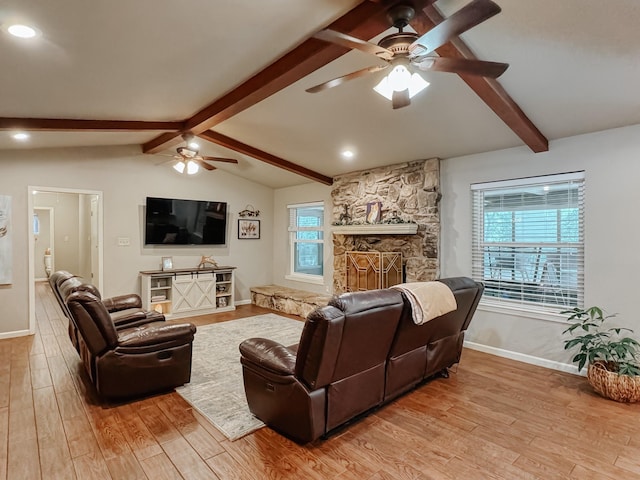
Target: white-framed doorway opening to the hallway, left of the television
x=73, y=219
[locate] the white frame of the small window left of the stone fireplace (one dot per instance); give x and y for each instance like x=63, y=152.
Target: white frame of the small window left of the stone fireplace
x=293, y=230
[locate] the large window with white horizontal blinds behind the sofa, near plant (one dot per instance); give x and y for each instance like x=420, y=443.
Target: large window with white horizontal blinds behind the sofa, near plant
x=528, y=241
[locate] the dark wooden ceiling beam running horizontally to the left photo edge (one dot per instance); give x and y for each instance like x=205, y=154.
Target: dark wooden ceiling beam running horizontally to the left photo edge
x=62, y=124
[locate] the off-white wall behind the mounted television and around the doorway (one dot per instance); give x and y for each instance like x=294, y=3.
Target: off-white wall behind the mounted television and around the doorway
x=126, y=177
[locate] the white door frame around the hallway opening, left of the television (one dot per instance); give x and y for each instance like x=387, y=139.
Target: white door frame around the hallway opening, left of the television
x=31, y=190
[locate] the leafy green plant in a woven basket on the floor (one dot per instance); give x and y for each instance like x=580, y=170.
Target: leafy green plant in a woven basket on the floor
x=610, y=355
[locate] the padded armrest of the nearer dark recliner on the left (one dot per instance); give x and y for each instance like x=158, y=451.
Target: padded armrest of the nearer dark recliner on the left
x=156, y=334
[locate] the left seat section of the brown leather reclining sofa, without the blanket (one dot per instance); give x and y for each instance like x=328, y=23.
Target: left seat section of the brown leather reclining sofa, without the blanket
x=337, y=373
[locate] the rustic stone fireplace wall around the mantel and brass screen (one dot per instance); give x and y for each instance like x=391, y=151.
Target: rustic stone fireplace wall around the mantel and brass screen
x=411, y=191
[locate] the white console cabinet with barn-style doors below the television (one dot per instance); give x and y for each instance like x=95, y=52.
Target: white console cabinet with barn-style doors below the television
x=188, y=292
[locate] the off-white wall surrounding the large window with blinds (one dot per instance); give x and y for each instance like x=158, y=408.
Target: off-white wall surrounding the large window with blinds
x=612, y=232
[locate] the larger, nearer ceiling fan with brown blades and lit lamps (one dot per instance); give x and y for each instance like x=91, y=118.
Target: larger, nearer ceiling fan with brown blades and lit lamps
x=404, y=51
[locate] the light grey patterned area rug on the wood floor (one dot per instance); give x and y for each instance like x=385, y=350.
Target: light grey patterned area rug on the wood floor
x=216, y=389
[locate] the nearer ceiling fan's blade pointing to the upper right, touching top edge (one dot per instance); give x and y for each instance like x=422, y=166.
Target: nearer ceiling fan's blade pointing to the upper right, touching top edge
x=467, y=17
